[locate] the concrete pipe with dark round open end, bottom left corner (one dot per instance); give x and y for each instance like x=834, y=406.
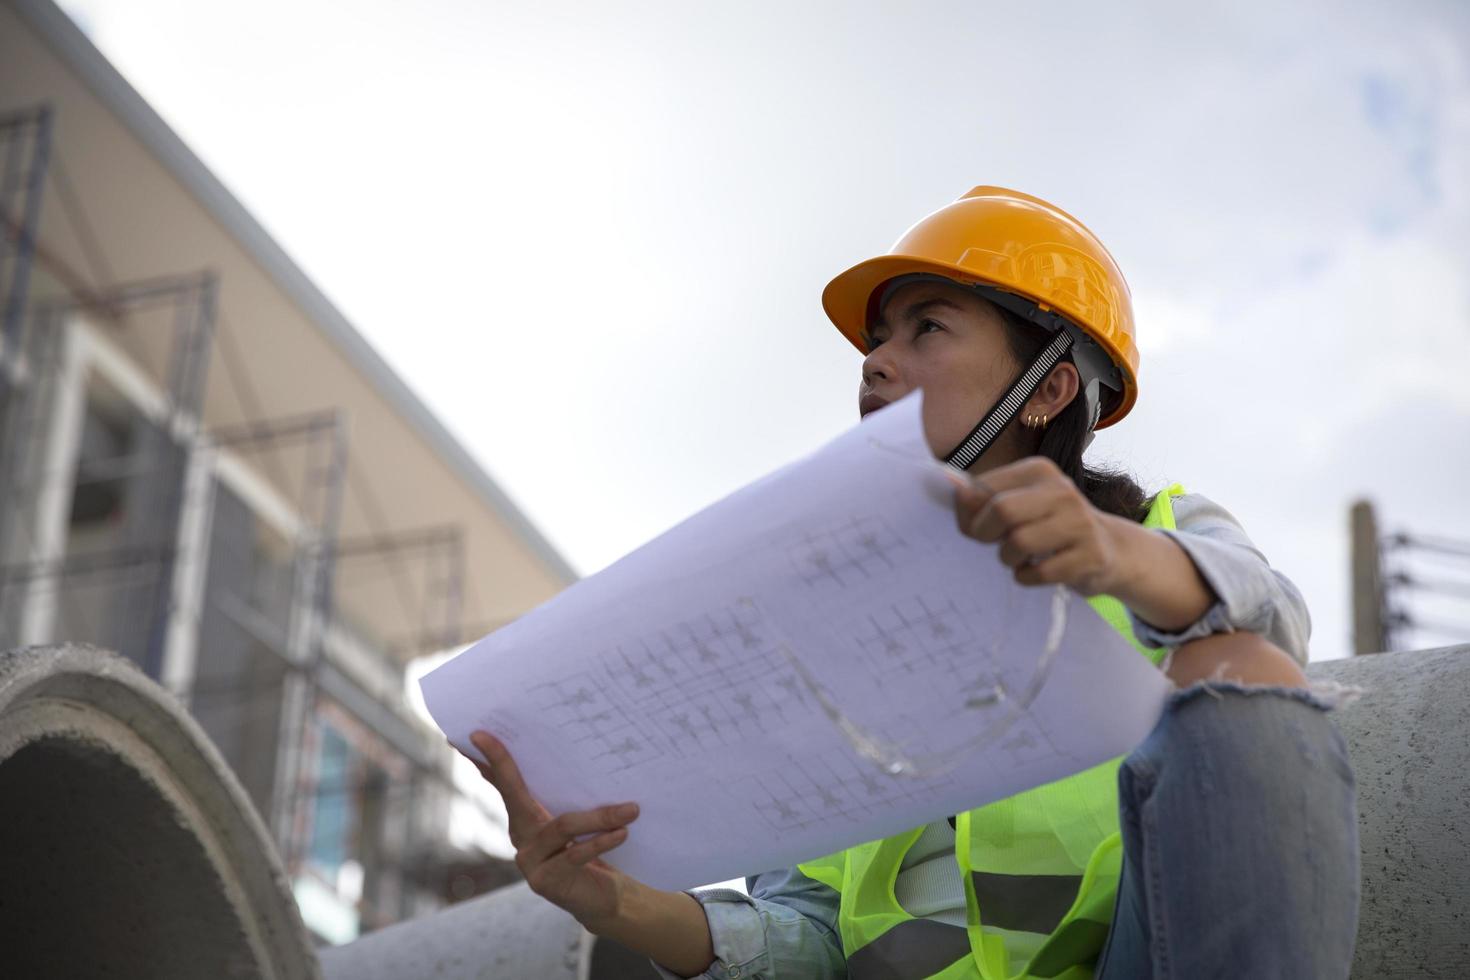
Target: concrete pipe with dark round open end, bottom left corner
x=130, y=850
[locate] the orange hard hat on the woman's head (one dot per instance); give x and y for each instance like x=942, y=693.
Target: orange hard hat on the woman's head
x=1028, y=256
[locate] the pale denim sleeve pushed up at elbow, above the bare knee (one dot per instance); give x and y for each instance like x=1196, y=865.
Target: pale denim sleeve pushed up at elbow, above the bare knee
x=1252, y=596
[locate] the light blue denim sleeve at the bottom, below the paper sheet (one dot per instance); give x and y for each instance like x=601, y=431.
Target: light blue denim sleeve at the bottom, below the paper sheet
x=786, y=928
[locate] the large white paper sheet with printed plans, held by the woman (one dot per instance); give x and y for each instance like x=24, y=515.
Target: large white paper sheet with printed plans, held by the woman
x=668, y=678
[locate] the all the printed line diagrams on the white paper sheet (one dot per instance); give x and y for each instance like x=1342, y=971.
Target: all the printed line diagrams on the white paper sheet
x=721, y=680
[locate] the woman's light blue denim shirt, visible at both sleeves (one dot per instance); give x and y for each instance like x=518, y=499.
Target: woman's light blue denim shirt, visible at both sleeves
x=787, y=926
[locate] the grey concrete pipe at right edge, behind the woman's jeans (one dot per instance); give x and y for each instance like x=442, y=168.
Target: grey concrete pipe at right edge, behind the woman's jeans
x=1409, y=737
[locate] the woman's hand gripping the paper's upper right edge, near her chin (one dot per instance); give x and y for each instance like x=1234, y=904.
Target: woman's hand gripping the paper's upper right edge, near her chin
x=1049, y=533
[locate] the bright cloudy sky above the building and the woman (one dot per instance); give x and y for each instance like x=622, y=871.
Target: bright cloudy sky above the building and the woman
x=593, y=236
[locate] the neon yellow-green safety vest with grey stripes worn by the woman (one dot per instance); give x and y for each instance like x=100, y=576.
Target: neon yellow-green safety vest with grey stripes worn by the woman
x=1041, y=865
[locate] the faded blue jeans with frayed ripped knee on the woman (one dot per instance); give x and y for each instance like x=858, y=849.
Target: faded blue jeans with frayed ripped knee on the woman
x=1240, y=841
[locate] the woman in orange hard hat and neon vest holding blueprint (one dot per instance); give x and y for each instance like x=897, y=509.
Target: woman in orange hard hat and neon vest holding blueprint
x=1224, y=846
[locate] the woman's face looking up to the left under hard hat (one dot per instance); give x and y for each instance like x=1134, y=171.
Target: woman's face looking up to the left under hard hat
x=952, y=343
